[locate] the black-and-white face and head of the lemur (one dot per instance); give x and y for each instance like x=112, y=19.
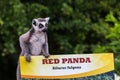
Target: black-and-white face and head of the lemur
x=40, y=24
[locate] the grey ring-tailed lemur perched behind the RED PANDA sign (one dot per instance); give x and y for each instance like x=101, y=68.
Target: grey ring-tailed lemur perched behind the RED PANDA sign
x=34, y=42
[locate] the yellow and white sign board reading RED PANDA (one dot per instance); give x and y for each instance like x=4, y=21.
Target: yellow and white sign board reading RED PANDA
x=66, y=66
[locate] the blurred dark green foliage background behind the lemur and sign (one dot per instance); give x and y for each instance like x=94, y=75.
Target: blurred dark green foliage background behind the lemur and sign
x=75, y=27
